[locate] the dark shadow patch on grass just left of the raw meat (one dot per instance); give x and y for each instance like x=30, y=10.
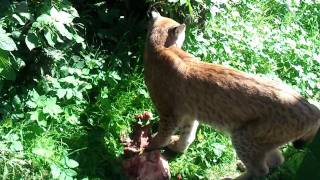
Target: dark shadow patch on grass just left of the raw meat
x=95, y=161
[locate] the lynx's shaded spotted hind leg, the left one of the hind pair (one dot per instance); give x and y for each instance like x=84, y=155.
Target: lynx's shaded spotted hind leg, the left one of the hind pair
x=251, y=153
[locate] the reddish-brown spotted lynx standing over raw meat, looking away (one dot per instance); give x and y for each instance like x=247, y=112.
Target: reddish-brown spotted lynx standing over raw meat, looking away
x=259, y=114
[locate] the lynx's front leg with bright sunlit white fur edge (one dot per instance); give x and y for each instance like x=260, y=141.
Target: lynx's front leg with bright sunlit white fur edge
x=188, y=129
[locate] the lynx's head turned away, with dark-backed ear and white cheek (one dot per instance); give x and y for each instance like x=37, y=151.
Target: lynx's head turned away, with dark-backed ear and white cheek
x=165, y=32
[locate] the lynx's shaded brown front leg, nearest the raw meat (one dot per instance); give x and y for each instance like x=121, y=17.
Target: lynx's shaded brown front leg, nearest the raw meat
x=167, y=126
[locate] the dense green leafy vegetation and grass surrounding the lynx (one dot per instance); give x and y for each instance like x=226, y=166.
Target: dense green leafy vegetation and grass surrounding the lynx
x=71, y=78
